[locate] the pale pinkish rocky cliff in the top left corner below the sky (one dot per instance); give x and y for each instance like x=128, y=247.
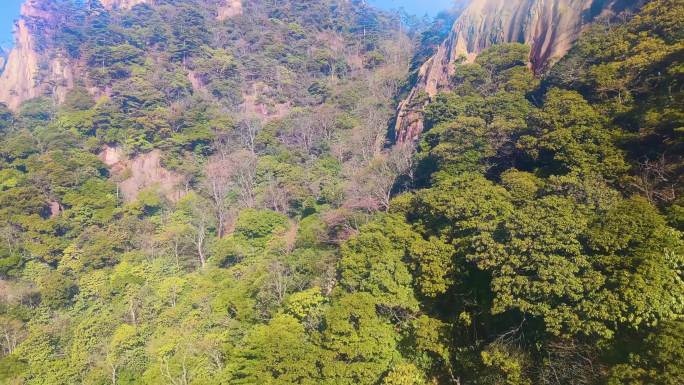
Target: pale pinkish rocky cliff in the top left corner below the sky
x=29, y=72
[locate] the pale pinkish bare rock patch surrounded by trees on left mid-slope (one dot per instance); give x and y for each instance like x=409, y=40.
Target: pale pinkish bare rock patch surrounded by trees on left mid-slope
x=142, y=172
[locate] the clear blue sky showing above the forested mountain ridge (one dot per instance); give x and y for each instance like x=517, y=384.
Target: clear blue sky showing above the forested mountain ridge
x=9, y=11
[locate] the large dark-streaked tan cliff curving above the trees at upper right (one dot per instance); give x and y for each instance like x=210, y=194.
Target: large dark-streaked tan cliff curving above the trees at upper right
x=550, y=27
